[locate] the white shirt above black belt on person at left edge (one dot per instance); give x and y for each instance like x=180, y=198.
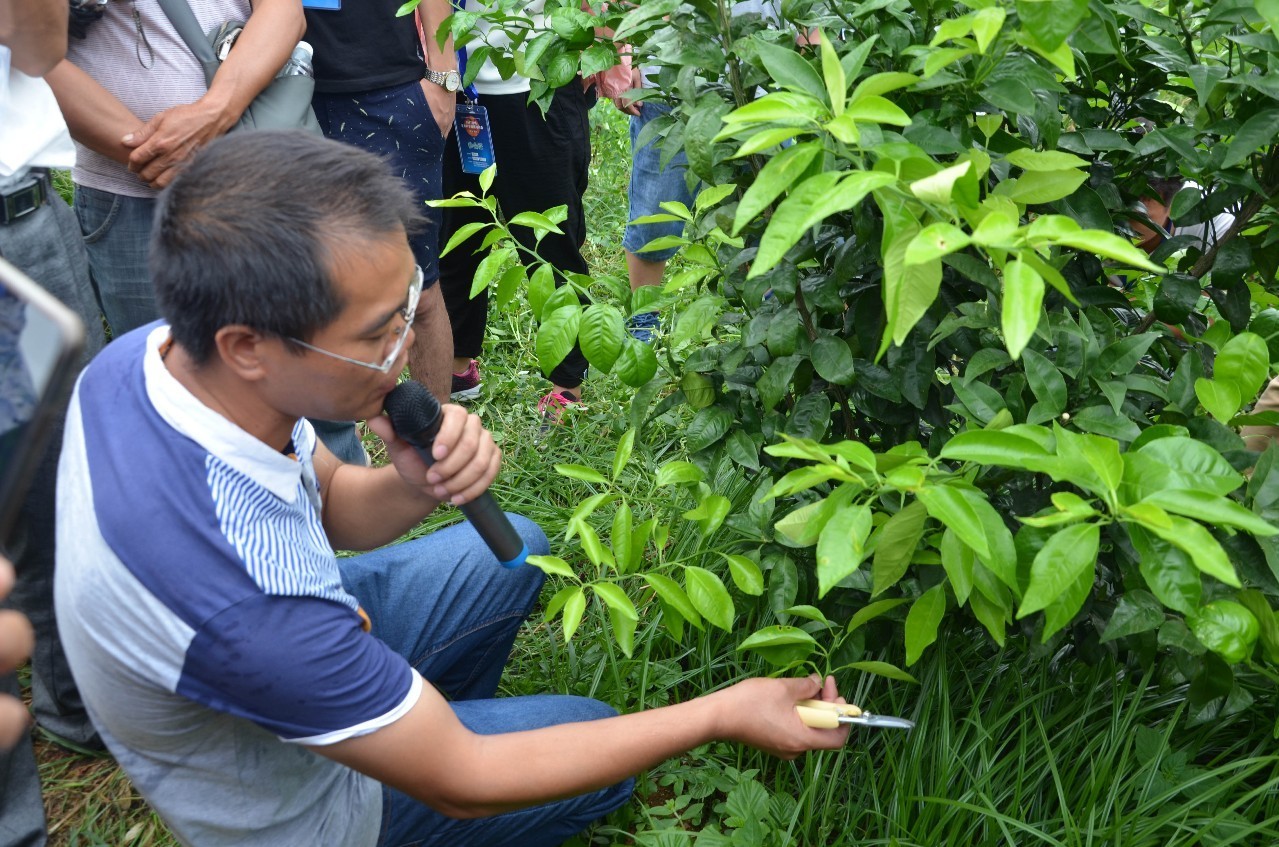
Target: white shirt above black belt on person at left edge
x=33, y=131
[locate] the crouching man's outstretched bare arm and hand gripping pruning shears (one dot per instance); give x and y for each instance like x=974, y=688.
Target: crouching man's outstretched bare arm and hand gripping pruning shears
x=432, y=757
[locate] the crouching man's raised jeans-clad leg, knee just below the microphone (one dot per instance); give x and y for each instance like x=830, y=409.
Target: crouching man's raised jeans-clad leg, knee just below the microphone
x=446, y=605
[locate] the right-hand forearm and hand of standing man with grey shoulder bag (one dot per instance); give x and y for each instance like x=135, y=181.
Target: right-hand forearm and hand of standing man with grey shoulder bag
x=172, y=138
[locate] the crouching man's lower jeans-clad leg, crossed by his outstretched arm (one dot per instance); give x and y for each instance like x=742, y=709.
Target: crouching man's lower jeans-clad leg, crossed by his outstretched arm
x=407, y=822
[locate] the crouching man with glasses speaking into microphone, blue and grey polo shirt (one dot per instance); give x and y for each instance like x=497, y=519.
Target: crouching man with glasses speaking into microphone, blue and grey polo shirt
x=256, y=689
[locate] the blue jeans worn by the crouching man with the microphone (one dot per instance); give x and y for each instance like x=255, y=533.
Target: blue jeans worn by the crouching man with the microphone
x=446, y=605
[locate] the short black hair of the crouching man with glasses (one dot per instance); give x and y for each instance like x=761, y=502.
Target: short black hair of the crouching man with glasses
x=249, y=231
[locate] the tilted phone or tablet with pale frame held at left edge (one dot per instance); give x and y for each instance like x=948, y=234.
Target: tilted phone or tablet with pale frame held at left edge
x=40, y=349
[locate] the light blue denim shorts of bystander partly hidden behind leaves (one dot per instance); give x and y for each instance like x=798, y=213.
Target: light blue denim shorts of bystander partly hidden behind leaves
x=652, y=186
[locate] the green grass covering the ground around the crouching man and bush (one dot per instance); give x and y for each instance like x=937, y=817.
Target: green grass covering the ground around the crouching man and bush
x=1012, y=748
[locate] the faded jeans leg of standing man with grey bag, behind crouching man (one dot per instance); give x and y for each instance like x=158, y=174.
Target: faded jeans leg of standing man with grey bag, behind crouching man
x=117, y=232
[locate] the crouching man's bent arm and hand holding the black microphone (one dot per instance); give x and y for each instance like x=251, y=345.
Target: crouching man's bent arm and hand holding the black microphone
x=365, y=509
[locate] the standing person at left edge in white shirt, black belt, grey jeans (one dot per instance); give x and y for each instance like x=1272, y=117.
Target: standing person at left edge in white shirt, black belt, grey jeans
x=39, y=236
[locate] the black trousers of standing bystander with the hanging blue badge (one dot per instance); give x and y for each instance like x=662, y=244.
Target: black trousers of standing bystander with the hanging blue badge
x=542, y=163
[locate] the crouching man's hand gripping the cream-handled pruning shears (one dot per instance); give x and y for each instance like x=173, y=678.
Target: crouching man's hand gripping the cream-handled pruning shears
x=762, y=713
